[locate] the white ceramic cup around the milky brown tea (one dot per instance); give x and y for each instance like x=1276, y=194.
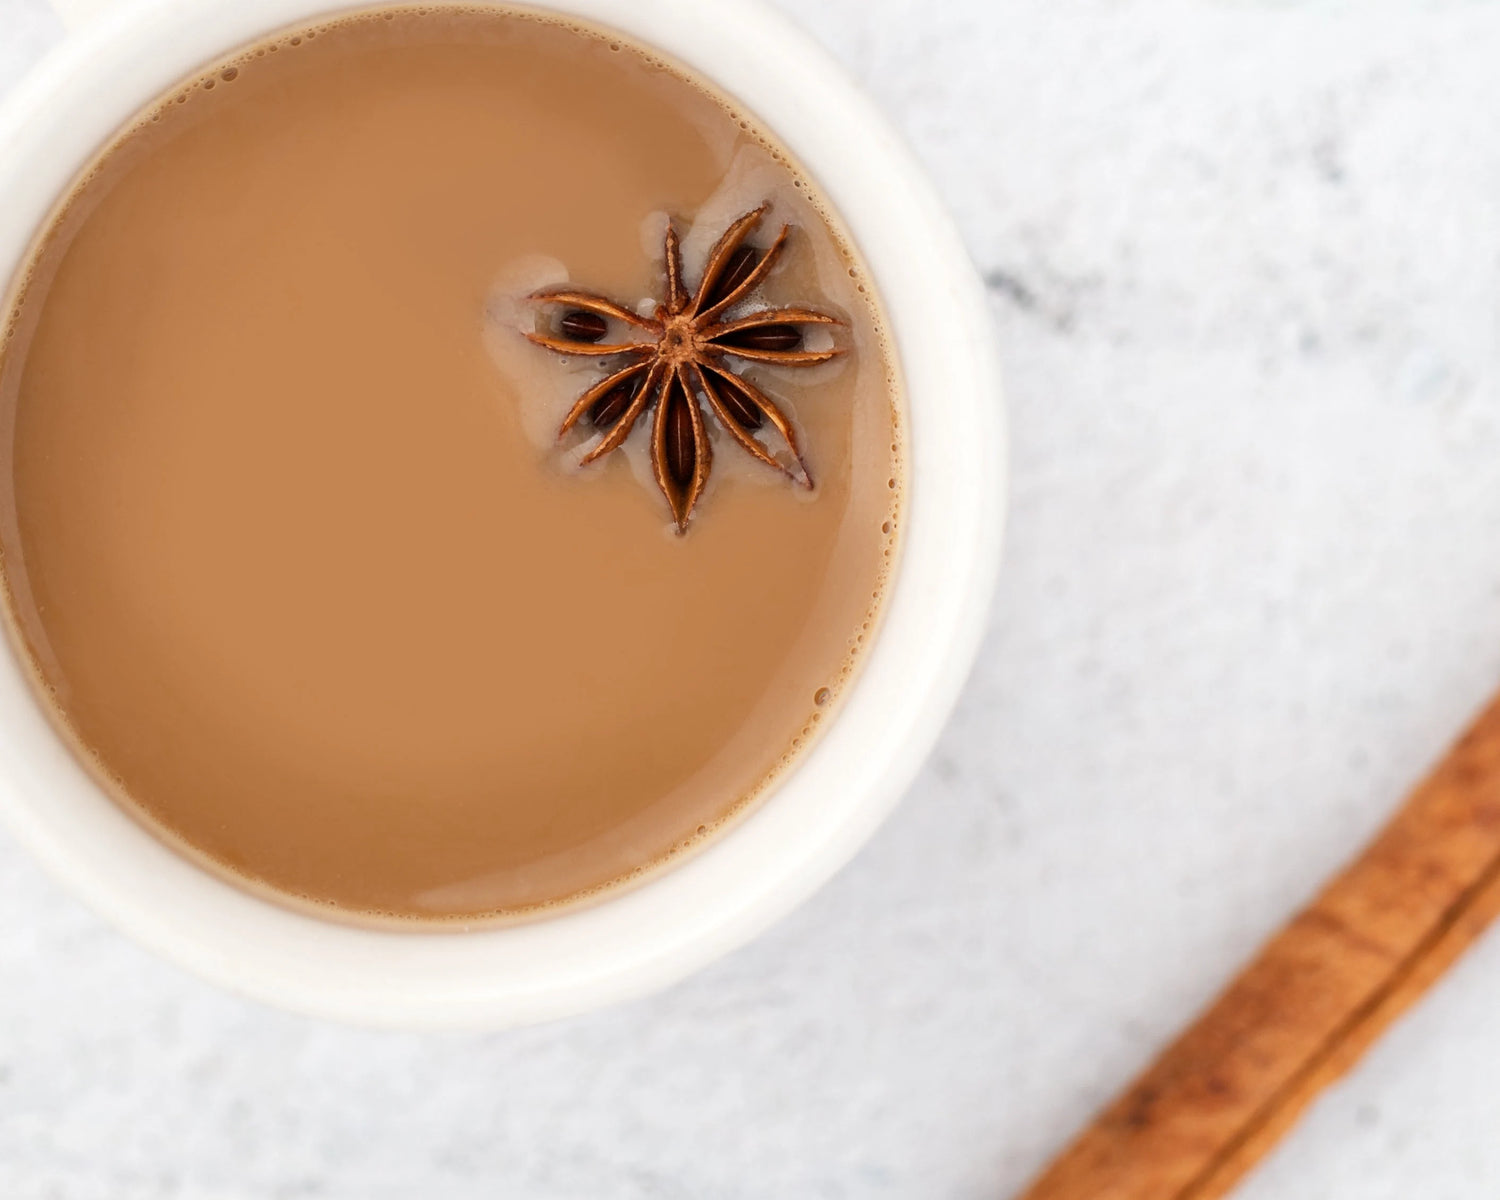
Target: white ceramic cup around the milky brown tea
x=118, y=59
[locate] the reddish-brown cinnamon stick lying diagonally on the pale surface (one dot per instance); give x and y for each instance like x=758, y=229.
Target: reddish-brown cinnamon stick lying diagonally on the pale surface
x=1312, y=1003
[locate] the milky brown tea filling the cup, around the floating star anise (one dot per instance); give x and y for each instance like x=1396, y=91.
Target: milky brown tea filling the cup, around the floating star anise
x=289, y=538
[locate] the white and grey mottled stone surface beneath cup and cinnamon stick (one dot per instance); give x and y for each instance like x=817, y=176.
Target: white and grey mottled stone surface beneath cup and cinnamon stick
x=1243, y=260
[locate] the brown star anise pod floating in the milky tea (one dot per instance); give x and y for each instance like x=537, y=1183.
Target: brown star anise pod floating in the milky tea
x=686, y=359
